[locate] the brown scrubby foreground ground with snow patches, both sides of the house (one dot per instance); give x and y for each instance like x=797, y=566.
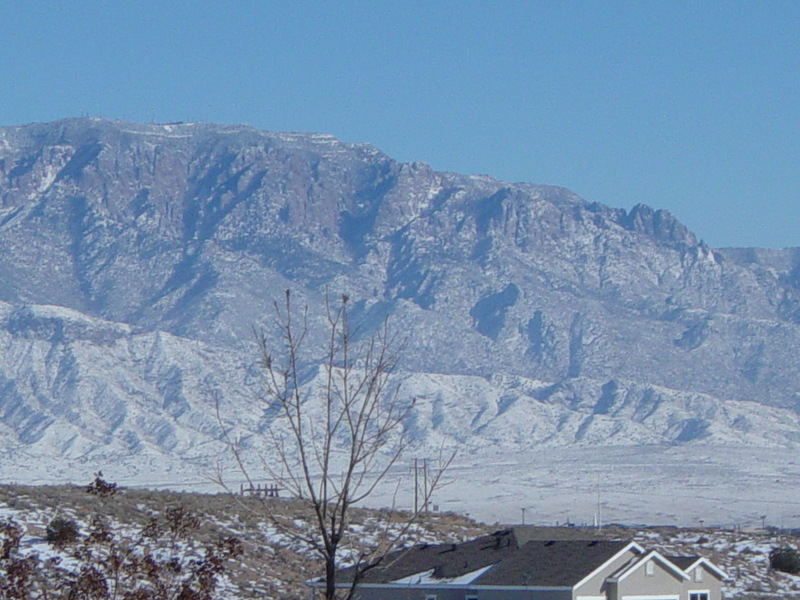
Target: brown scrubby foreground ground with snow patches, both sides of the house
x=274, y=564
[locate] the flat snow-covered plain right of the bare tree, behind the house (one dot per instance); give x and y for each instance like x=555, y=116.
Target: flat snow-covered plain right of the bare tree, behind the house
x=653, y=485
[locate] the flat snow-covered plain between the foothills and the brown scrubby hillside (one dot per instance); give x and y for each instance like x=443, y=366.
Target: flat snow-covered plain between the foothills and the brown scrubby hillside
x=686, y=485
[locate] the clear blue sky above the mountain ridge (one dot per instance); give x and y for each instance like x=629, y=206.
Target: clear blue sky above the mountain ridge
x=689, y=106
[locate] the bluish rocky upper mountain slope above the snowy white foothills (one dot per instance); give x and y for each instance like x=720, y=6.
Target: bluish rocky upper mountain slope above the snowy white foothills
x=193, y=229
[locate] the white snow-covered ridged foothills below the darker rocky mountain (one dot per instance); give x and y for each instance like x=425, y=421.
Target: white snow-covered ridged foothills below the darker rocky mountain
x=85, y=387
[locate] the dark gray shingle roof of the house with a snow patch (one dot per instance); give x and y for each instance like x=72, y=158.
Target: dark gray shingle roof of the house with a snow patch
x=556, y=563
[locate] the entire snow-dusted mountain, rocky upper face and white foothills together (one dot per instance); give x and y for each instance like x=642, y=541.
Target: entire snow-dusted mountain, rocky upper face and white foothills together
x=135, y=260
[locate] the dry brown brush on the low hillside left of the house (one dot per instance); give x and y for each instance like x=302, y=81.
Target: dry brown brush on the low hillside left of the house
x=269, y=567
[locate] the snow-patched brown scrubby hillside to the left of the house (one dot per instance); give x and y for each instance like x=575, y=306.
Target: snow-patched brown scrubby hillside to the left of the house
x=274, y=563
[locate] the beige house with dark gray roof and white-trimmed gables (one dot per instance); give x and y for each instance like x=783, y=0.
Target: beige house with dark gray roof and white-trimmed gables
x=508, y=565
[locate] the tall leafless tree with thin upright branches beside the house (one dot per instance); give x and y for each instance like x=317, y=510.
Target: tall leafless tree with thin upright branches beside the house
x=333, y=457
